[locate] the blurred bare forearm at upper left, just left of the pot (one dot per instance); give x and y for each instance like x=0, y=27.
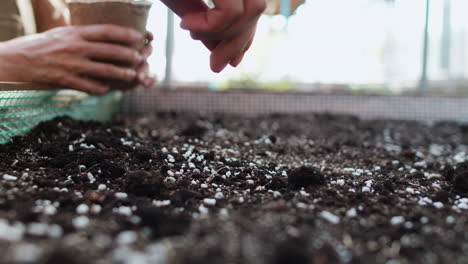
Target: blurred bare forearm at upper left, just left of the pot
x=49, y=14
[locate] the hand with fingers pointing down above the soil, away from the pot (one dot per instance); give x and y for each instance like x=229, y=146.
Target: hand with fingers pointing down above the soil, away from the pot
x=232, y=23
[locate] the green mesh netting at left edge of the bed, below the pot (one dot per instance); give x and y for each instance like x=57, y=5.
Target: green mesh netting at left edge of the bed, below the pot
x=21, y=111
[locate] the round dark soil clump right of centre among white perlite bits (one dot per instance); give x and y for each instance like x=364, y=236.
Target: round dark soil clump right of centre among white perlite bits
x=305, y=176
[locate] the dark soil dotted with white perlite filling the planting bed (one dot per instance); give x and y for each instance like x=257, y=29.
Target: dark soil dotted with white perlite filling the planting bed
x=184, y=188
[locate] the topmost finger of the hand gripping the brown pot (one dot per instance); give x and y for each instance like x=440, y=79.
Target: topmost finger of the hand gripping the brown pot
x=111, y=33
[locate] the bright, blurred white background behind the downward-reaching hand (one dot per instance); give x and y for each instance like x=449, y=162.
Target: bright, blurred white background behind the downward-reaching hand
x=333, y=46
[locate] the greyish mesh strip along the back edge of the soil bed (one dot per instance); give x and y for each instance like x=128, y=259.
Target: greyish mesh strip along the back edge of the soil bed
x=421, y=108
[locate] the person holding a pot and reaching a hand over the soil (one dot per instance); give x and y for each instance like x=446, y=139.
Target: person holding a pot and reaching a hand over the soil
x=75, y=56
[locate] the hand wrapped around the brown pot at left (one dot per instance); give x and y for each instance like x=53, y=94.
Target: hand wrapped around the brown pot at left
x=73, y=57
